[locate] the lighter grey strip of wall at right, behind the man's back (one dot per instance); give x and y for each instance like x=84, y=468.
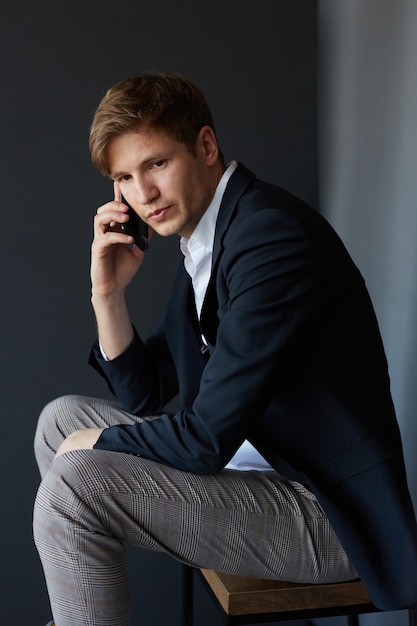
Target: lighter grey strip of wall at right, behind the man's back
x=368, y=164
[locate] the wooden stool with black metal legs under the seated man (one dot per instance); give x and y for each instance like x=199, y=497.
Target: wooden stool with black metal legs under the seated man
x=254, y=601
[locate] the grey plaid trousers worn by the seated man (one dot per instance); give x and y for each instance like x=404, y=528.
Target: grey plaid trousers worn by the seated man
x=92, y=502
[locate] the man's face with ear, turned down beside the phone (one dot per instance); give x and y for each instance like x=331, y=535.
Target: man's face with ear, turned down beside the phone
x=167, y=186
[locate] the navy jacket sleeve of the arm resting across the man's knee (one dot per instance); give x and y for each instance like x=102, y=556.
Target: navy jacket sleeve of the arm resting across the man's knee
x=270, y=298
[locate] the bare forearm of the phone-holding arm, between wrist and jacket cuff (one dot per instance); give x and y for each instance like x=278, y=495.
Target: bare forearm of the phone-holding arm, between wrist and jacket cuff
x=114, y=326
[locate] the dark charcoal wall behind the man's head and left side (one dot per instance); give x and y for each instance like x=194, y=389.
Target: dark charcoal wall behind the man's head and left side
x=257, y=64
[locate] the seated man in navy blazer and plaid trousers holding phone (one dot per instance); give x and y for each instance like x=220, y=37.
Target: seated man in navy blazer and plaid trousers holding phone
x=284, y=459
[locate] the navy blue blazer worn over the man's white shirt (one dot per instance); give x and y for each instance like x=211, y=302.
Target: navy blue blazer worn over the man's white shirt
x=295, y=364
